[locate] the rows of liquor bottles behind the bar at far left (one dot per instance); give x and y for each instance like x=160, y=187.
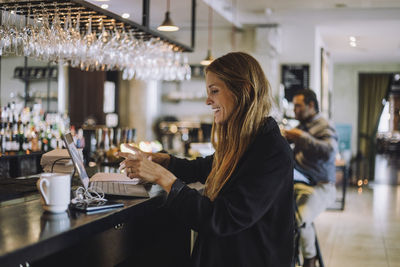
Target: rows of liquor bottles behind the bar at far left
x=25, y=130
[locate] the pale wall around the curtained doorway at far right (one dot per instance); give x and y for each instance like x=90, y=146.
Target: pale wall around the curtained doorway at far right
x=345, y=92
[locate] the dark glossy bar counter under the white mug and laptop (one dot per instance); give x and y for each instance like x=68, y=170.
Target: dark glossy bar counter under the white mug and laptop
x=142, y=233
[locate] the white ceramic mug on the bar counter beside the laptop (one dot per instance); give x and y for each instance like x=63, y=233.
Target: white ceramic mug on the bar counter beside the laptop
x=55, y=189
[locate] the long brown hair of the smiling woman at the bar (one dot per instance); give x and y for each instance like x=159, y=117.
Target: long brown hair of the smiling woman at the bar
x=245, y=78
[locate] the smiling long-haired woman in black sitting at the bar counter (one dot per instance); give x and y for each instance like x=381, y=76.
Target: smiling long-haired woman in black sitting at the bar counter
x=245, y=216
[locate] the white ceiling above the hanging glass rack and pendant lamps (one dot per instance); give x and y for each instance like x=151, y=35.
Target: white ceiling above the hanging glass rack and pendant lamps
x=375, y=23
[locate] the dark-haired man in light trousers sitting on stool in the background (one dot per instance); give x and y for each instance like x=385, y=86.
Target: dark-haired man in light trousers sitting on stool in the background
x=315, y=149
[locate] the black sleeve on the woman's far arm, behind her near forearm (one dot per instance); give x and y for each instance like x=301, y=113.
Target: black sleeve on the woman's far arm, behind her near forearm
x=191, y=171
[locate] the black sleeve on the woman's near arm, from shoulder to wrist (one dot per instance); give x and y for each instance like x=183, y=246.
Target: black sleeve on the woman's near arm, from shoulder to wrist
x=263, y=174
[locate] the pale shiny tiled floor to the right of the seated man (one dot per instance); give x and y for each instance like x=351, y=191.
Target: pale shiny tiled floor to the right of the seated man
x=366, y=233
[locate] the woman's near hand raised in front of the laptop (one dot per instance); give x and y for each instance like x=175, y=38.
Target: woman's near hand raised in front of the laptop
x=139, y=164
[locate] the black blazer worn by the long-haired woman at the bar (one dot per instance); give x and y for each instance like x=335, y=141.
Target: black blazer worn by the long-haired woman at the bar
x=251, y=221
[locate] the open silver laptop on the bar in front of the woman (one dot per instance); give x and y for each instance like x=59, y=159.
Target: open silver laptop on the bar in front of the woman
x=110, y=183
